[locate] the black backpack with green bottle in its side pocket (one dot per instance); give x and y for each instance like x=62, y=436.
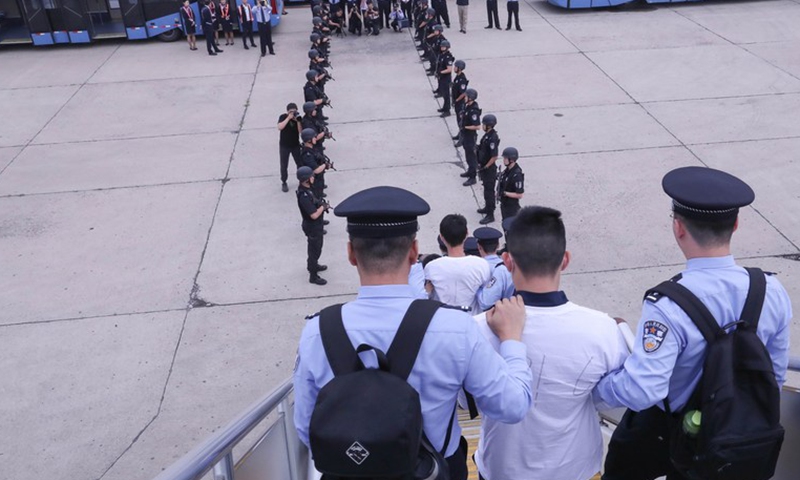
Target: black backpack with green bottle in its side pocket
x=739, y=435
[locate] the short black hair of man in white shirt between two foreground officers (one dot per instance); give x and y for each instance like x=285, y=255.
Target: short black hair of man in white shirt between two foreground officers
x=537, y=241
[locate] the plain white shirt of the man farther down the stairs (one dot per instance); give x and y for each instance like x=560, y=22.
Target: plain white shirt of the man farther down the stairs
x=457, y=279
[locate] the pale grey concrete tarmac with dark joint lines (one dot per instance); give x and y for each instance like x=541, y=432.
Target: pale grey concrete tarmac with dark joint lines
x=152, y=273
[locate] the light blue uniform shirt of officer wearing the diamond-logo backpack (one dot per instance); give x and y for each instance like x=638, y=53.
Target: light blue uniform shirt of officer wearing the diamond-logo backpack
x=453, y=354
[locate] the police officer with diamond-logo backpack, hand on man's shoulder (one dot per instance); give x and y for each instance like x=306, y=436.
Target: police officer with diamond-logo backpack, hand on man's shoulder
x=382, y=225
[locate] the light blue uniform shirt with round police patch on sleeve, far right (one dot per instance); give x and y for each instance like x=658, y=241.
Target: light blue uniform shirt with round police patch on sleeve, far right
x=668, y=353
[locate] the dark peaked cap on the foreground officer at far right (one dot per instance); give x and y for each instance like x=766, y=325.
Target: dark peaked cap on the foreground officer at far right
x=706, y=194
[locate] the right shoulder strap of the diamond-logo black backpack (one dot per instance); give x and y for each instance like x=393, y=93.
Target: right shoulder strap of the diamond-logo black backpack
x=408, y=339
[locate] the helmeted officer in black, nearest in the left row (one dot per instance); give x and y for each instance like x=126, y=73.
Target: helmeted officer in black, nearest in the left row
x=312, y=209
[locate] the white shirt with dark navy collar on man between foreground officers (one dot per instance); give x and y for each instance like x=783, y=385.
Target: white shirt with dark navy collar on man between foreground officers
x=570, y=348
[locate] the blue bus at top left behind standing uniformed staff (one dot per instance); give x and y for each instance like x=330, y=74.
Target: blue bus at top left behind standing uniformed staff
x=52, y=22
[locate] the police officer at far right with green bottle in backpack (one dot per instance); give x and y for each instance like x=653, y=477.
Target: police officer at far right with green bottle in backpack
x=667, y=362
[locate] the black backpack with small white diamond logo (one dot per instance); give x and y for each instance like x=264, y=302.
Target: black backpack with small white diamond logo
x=367, y=423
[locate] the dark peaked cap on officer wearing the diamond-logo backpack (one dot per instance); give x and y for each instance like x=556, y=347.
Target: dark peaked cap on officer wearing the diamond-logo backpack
x=382, y=212
